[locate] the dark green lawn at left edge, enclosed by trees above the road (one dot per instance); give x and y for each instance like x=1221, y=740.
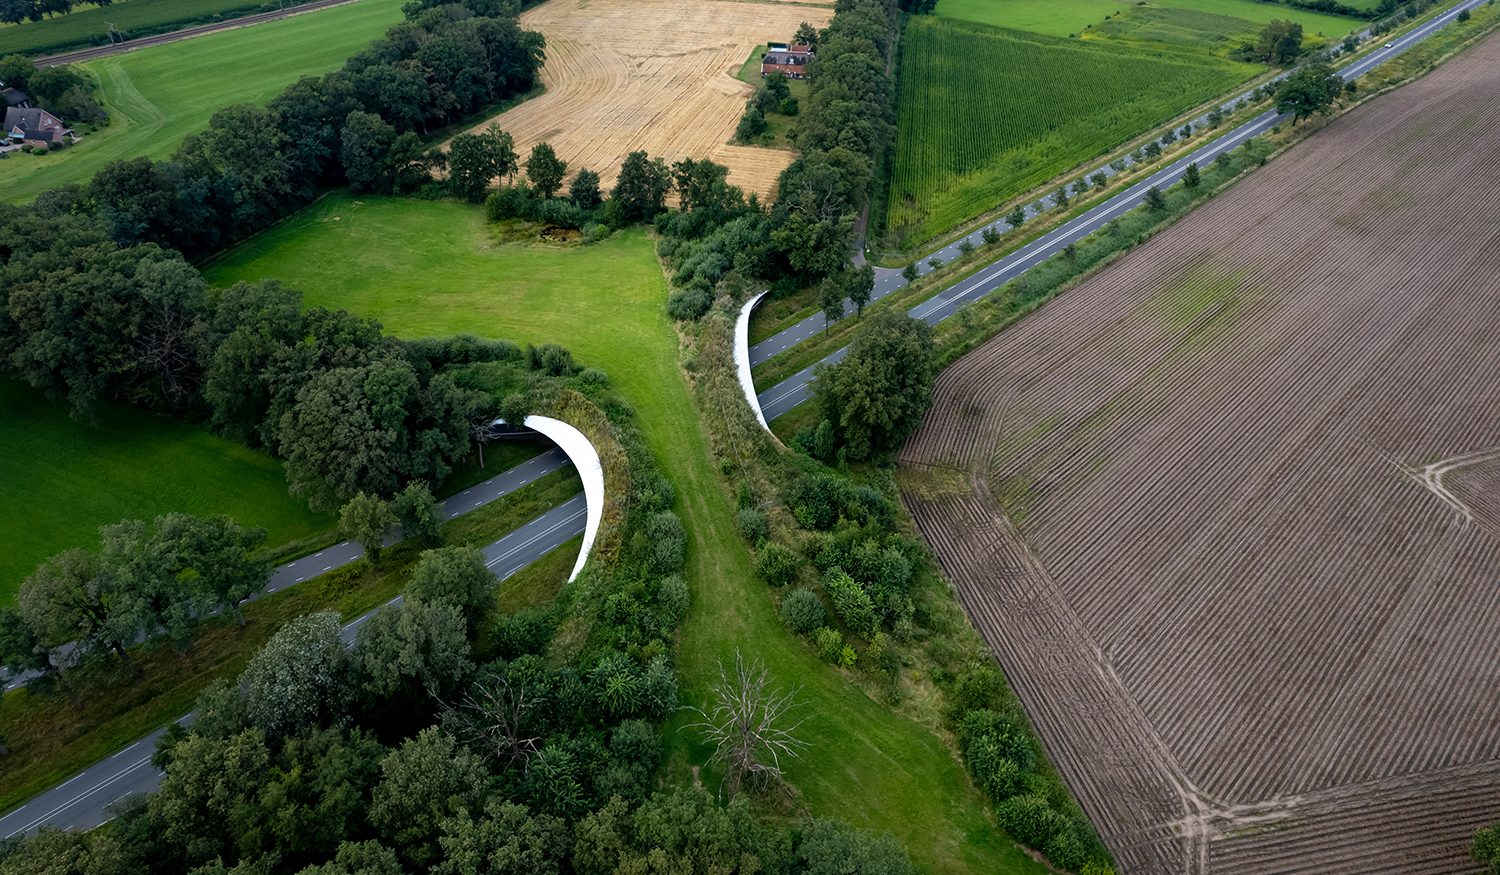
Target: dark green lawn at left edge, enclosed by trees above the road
x=61, y=481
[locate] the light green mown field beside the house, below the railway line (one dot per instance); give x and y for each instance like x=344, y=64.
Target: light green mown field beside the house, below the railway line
x=157, y=97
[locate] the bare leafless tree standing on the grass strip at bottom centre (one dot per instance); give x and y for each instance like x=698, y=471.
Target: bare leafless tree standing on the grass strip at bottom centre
x=745, y=726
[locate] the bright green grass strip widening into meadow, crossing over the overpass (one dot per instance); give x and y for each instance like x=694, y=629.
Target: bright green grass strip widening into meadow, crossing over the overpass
x=428, y=268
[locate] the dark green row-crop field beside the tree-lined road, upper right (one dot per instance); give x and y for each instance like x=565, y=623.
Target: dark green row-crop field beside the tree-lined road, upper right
x=988, y=115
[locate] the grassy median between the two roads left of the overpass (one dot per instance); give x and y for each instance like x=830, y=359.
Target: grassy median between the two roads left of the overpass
x=50, y=739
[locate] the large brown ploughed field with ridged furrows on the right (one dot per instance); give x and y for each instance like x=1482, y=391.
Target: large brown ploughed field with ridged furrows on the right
x=1228, y=513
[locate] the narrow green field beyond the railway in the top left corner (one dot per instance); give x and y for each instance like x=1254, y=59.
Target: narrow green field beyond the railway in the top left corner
x=133, y=19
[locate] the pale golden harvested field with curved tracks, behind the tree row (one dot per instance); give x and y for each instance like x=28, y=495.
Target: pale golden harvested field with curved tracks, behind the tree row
x=659, y=76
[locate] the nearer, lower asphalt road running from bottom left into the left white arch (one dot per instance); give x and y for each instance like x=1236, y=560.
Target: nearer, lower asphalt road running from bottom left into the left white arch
x=83, y=802
